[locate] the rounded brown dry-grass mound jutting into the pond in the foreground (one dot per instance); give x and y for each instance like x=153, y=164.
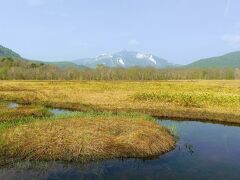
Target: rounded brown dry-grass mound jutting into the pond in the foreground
x=86, y=137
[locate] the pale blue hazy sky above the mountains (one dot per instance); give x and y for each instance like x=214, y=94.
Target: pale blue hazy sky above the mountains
x=180, y=31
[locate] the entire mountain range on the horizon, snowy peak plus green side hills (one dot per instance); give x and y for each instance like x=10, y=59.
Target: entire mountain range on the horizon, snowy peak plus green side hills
x=131, y=58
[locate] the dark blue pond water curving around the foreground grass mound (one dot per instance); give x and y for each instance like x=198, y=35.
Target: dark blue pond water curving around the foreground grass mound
x=204, y=151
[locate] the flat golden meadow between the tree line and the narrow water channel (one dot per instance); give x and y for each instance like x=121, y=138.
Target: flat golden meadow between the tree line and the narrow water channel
x=200, y=100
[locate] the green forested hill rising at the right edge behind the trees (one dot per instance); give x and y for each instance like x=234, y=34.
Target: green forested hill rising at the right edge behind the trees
x=231, y=60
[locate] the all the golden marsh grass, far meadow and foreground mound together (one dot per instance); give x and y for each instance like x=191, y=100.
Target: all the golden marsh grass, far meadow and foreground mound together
x=110, y=125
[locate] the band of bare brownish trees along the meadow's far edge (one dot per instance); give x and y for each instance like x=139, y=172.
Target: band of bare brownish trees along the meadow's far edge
x=15, y=69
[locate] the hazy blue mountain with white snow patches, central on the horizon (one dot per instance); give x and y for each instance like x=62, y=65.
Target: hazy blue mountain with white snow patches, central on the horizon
x=125, y=59
